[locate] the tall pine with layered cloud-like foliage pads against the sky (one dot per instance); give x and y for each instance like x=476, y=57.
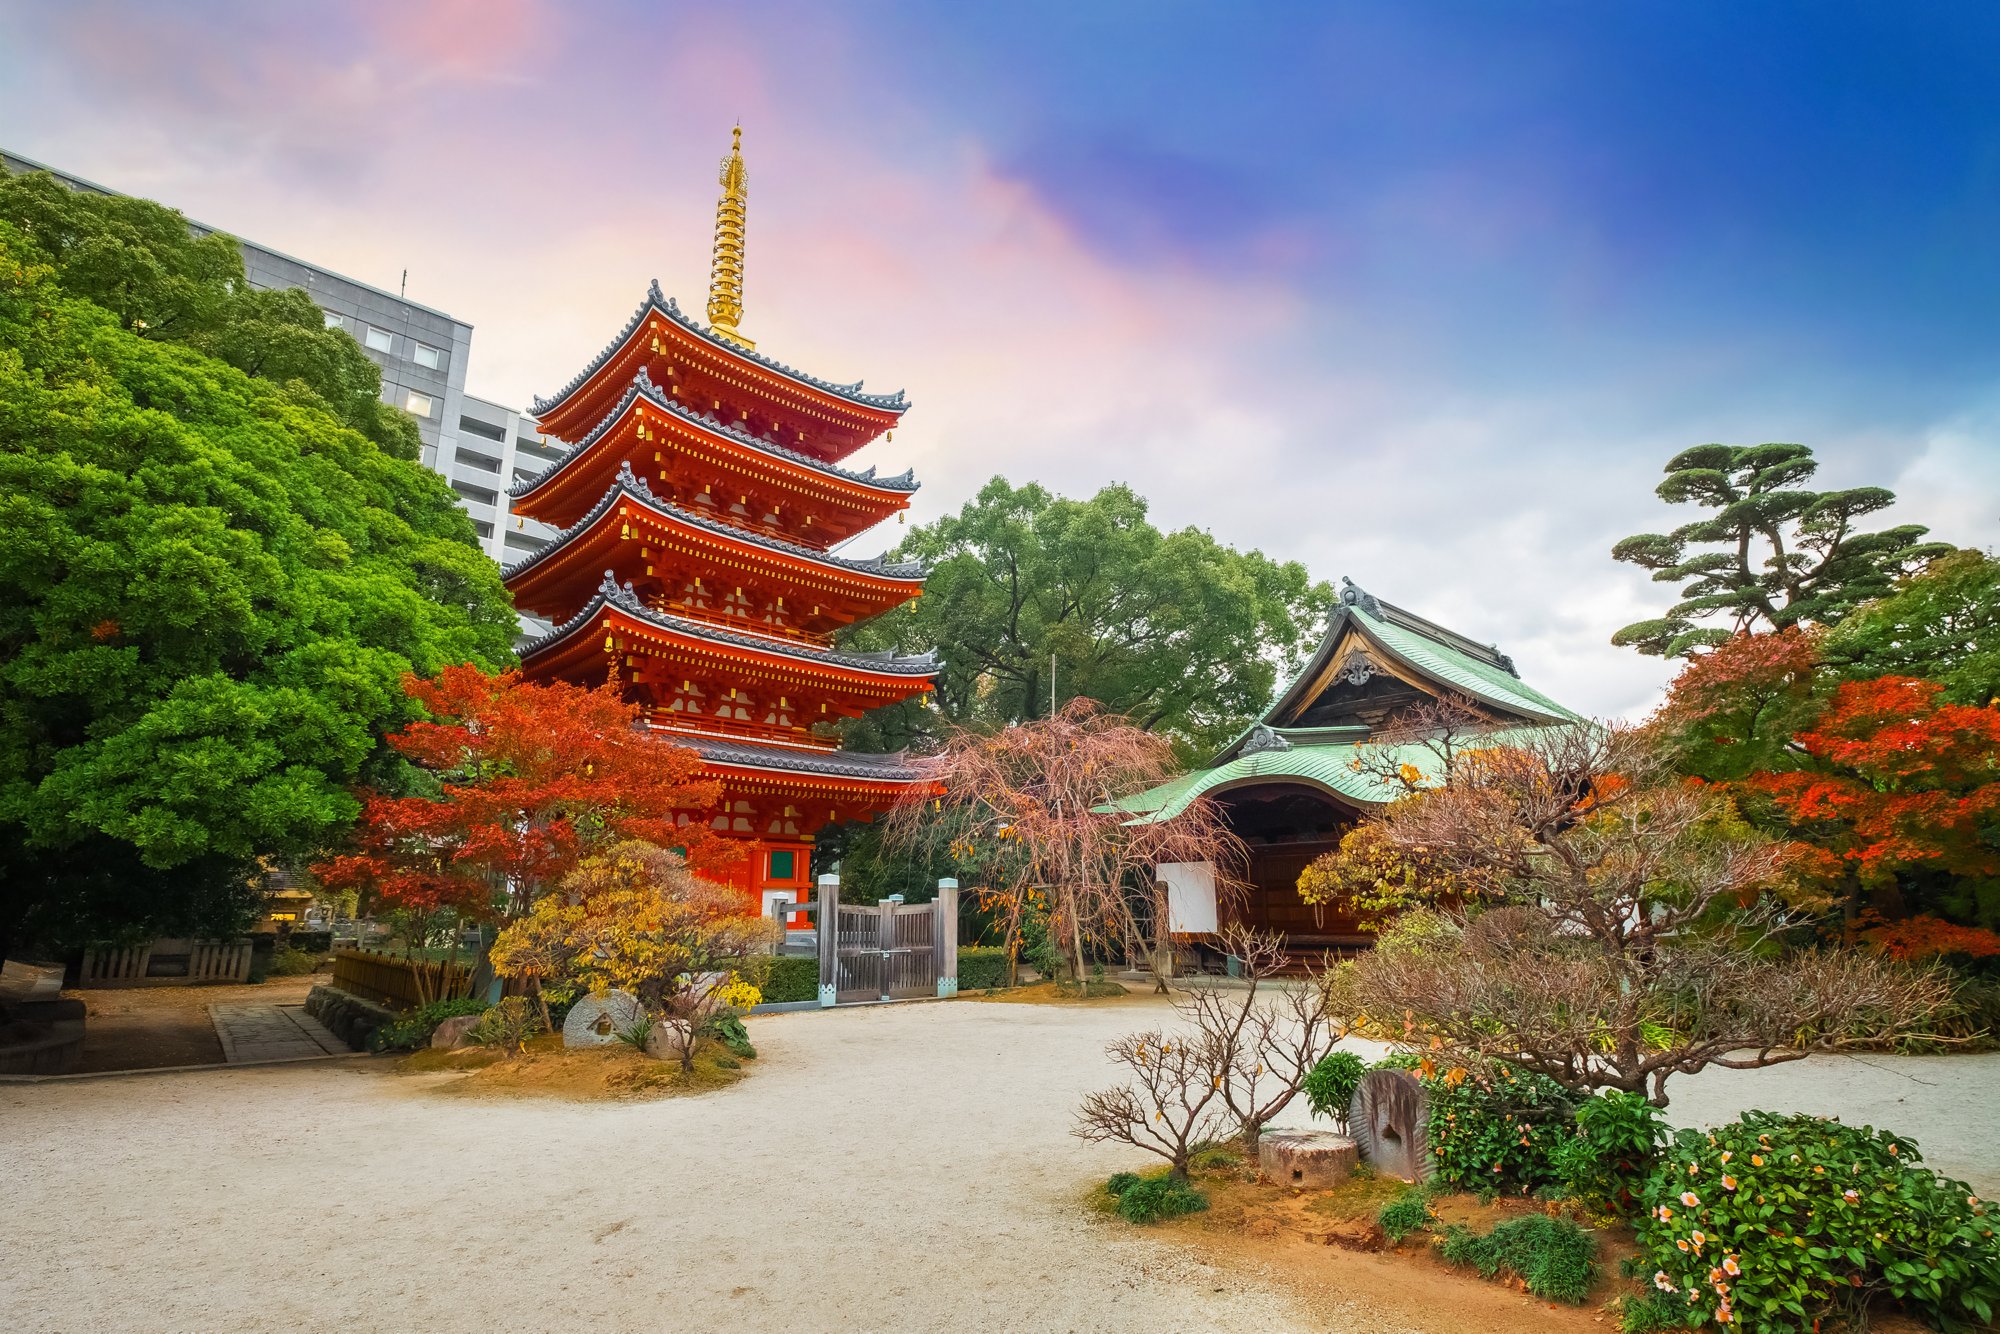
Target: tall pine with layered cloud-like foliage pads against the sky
x=1771, y=555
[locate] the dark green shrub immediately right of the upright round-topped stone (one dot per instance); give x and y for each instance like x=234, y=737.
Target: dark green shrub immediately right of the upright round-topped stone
x=1497, y=1131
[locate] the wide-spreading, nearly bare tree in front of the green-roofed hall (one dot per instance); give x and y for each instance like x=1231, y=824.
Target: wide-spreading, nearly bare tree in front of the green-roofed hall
x=1643, y=935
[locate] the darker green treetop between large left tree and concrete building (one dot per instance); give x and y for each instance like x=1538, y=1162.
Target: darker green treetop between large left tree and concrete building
x=171, y=285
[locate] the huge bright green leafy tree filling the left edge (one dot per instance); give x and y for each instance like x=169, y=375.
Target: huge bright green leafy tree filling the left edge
x=211, y=591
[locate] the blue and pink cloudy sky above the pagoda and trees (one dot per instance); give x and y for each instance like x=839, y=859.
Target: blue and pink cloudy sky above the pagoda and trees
x=1423, y=295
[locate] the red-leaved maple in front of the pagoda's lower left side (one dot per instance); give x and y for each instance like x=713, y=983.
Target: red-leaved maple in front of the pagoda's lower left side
x=529, y=781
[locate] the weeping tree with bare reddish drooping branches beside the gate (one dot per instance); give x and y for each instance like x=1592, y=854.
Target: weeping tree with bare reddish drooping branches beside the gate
x=1035, y=807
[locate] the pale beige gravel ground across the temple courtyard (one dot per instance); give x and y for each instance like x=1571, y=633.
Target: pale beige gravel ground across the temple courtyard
x=885, y=1169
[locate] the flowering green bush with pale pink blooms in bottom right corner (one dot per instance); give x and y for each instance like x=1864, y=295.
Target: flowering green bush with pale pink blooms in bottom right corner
x=1775, y=1223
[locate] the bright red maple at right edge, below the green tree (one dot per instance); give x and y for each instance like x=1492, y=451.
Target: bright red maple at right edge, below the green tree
x=1901, y=783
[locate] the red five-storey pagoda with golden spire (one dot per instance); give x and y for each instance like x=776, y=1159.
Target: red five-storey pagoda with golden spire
x=699, y=509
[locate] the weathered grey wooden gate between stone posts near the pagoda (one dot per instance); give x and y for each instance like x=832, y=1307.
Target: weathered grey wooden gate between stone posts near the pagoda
x=889, y=951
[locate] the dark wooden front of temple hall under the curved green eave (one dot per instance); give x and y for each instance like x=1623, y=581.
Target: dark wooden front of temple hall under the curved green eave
x=1287, y=827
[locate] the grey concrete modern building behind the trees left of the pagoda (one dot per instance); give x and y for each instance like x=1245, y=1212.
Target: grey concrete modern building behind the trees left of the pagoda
x=479, y=447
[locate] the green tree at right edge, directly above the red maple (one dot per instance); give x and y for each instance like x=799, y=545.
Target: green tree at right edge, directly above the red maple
x=1941, y=625
